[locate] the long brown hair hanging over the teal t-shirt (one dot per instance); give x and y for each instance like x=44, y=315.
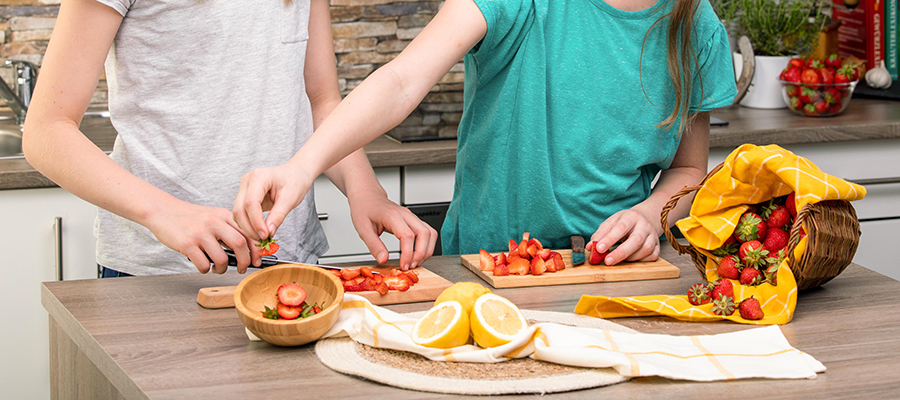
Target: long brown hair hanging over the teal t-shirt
x=680, y=56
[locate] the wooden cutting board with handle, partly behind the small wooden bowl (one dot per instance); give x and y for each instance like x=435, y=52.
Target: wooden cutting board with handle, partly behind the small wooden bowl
x=428, y=288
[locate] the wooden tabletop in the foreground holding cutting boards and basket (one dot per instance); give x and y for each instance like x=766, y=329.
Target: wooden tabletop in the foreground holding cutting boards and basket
x=146, y=337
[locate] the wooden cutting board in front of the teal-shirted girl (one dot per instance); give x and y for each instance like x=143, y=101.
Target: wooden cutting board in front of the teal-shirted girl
x=585, y=273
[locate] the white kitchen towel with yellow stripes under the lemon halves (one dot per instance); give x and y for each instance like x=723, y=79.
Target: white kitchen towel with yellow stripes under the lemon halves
x=752, y=353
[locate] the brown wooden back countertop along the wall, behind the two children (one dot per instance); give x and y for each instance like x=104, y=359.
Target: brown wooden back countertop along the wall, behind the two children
x=863, y=119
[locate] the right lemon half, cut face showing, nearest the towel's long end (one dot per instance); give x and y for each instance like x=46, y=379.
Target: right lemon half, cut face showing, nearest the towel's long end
x=495, y=321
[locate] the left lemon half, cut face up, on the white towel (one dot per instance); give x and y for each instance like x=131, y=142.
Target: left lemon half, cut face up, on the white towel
x=444, y=326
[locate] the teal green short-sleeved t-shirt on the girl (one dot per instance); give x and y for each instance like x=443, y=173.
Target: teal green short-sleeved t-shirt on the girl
x=559, y=124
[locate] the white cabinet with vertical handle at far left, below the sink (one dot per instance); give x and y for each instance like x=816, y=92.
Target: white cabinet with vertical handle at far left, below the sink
x=28, y=245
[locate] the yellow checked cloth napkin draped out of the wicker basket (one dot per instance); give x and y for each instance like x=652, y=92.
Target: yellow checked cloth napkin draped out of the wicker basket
x=751, y=174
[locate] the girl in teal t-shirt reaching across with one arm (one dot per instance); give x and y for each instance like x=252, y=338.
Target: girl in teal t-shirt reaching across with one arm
x=571, y=110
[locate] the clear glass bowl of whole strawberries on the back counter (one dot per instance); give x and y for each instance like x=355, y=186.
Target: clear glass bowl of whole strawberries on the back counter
x=818, y=87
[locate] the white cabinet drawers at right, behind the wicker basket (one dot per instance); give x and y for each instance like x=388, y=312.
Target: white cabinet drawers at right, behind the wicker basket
x=875, y=165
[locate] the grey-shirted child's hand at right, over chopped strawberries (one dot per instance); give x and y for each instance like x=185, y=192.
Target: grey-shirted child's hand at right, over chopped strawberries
x=373, y=214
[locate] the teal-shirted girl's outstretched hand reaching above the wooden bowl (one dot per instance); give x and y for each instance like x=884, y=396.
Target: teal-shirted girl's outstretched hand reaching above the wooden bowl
x=275, y=189
